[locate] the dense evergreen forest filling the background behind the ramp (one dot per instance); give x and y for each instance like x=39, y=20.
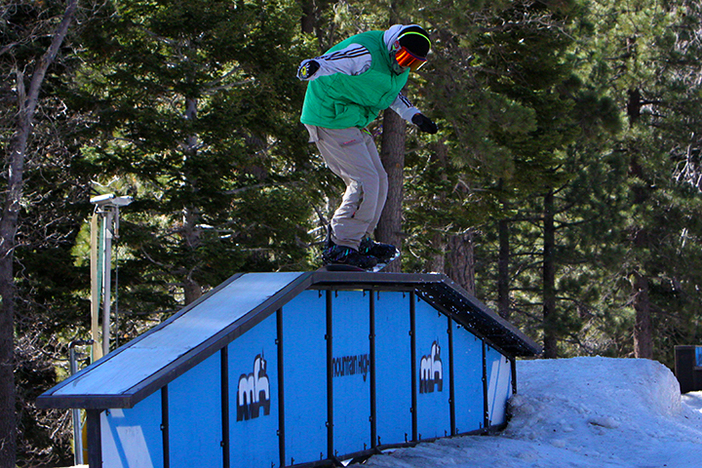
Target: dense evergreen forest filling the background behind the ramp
x=568, y=161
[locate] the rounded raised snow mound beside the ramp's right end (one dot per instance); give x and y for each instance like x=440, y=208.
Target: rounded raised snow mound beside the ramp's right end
x=593, y=394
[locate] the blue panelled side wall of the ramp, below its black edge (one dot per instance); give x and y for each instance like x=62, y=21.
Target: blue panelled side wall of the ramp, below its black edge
x=278, y=384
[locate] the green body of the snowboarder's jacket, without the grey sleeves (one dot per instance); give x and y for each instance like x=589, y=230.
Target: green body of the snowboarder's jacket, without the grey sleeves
x=344, y=101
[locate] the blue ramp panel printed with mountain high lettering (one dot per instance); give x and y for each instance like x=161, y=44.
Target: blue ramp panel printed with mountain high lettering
x=351, y=371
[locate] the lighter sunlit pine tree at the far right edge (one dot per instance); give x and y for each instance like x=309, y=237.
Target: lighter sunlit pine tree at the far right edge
x=651, y=61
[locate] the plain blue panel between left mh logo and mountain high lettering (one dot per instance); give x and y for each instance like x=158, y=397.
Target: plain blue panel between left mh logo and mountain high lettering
x=304, y=327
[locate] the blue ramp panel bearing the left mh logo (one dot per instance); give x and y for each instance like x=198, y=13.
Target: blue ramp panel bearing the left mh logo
x=253, y=402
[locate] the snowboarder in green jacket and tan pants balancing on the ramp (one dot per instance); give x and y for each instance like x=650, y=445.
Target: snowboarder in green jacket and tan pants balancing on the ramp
x=348, y=87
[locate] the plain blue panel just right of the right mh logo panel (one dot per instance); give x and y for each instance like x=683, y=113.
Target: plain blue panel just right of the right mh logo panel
x=468, y=380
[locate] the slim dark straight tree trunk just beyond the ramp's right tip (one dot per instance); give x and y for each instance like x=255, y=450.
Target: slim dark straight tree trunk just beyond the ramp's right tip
x=549, y=278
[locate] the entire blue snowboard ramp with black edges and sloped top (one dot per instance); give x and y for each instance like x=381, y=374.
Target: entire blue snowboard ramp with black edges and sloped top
x=315, y=372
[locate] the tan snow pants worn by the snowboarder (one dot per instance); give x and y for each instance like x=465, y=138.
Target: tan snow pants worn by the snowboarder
x=351, y=154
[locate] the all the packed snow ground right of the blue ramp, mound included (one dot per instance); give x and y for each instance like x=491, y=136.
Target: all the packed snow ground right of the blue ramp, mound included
x=579, y=413
